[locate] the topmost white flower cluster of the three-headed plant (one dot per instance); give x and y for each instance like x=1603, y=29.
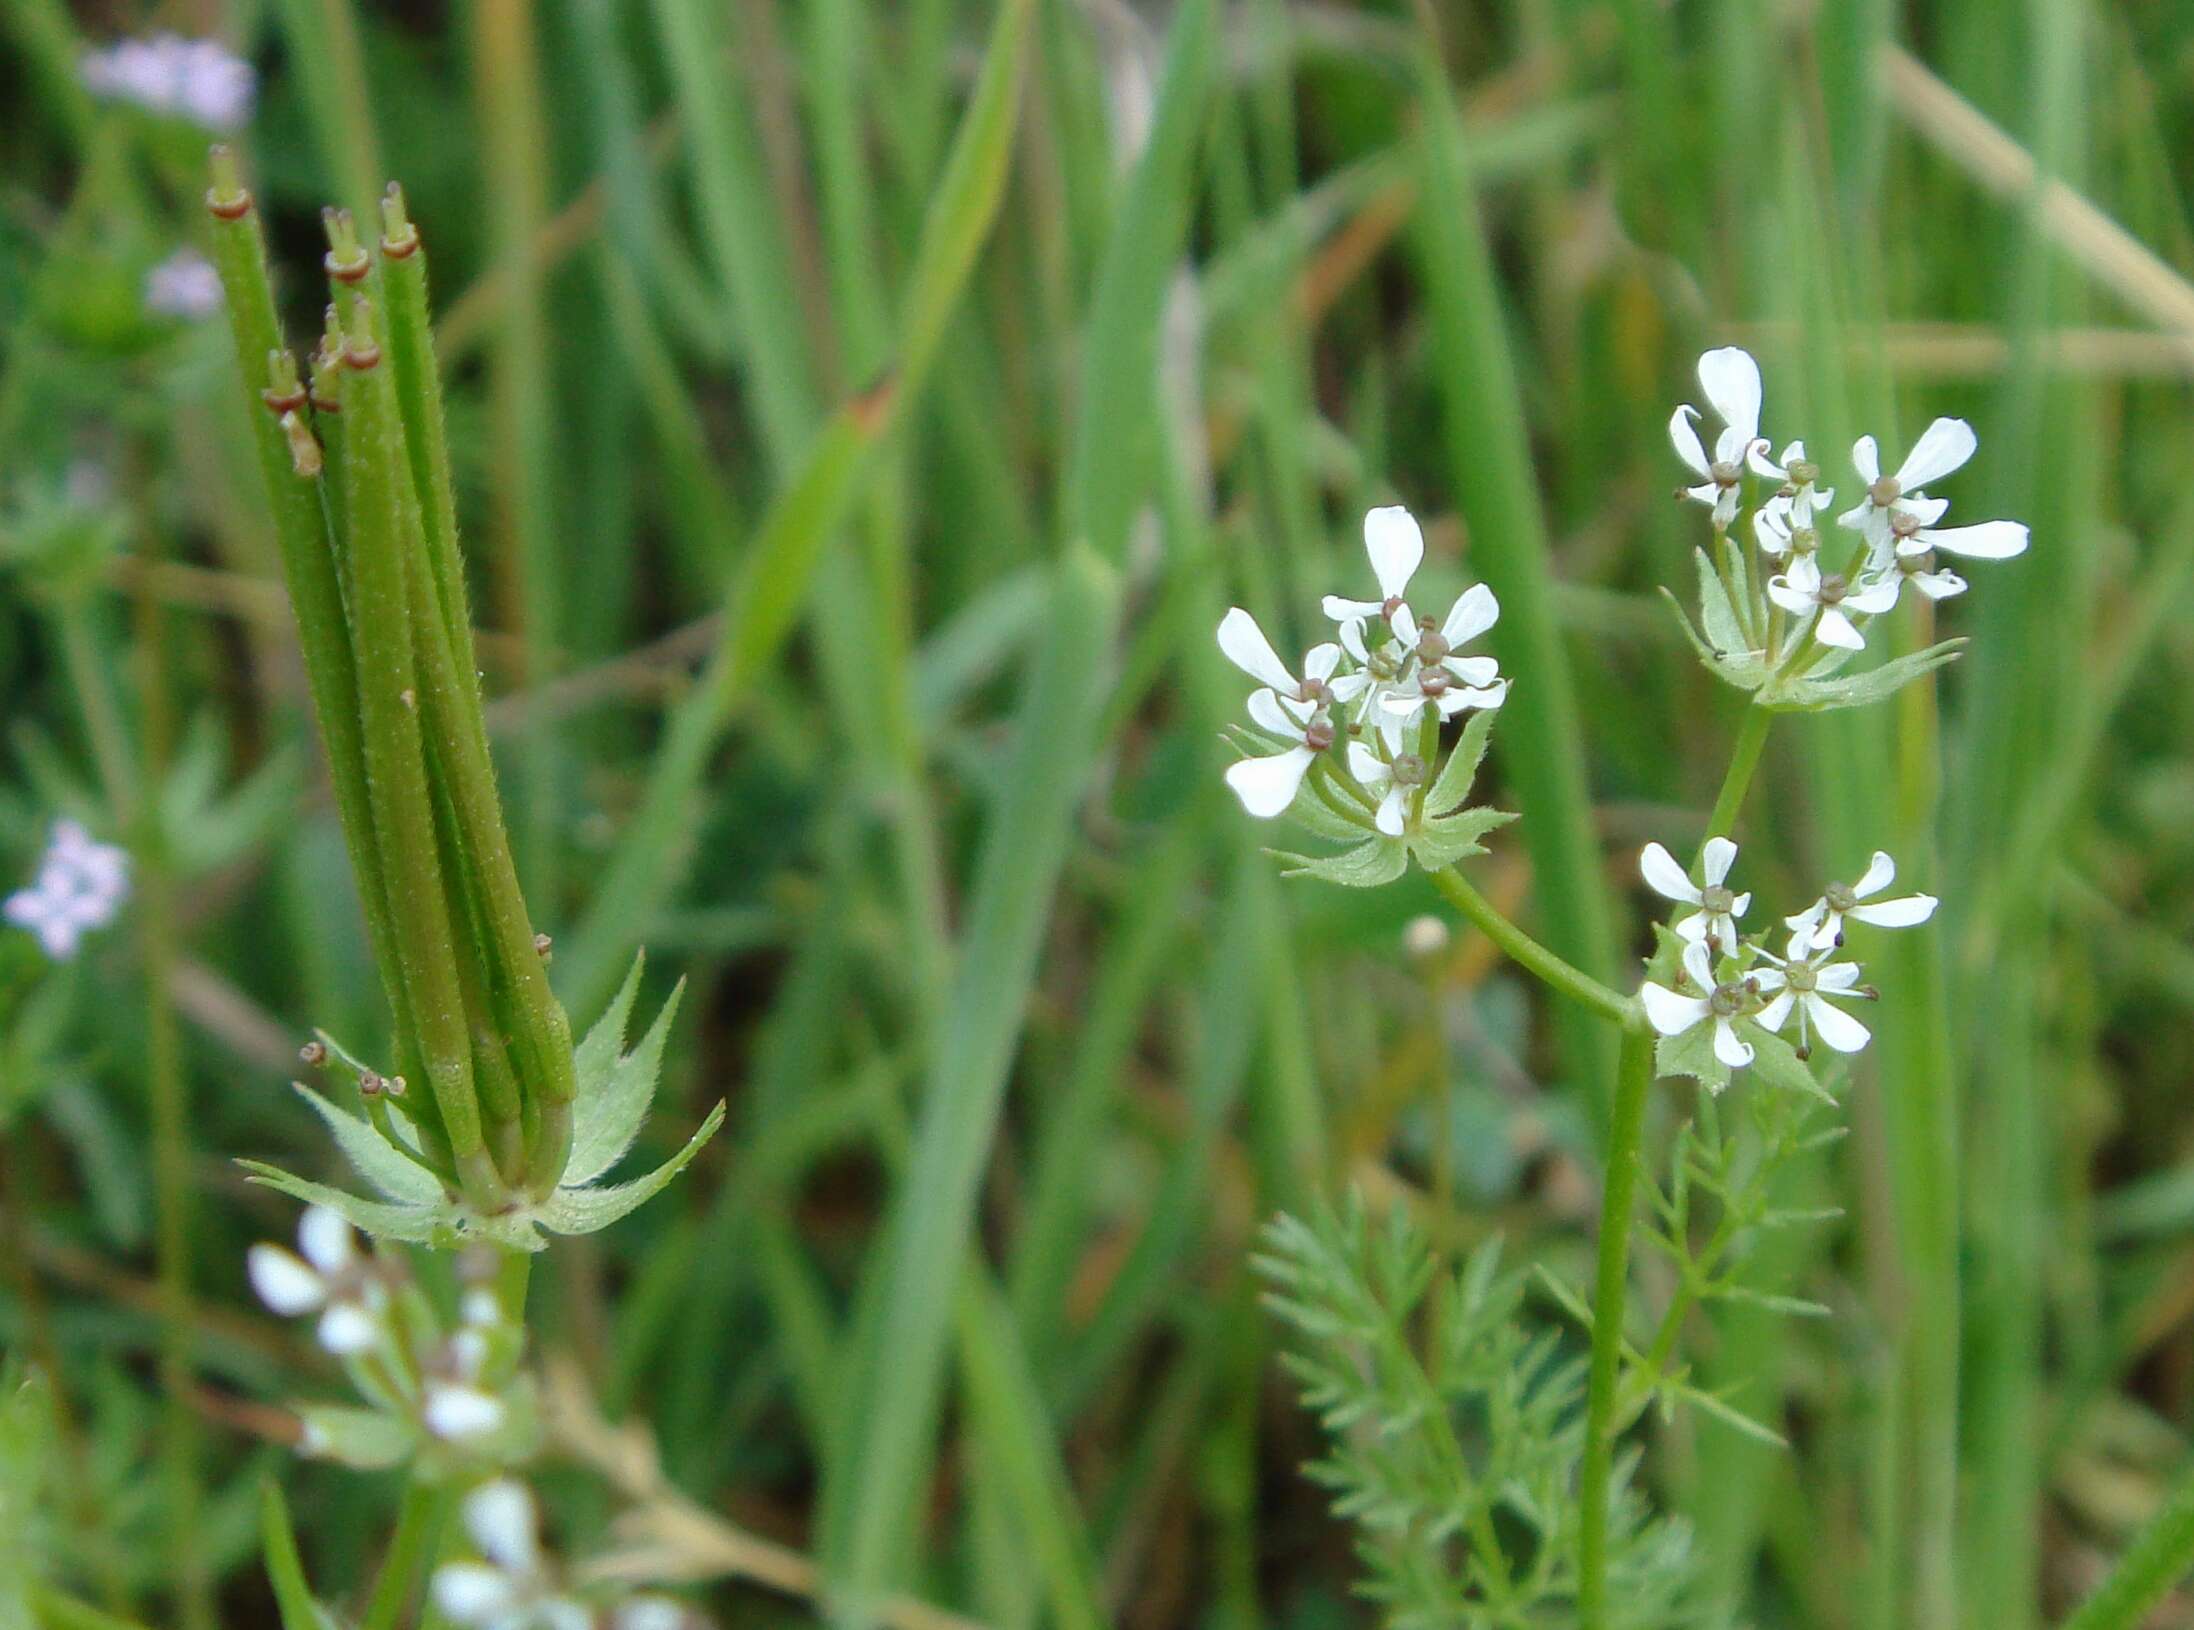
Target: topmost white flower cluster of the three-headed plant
x=1829, y=593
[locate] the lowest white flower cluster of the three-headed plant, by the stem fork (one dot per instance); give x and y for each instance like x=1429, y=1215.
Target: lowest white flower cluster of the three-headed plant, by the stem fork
x=1726, y=980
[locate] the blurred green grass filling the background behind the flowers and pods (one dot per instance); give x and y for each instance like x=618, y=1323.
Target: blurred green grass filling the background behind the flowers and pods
x=852, y=499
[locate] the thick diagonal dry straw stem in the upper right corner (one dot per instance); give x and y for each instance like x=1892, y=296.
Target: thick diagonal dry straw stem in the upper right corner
x=2103, y=249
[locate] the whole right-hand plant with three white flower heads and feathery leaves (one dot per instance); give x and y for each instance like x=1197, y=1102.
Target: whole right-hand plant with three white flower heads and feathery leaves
x=1464, y=1469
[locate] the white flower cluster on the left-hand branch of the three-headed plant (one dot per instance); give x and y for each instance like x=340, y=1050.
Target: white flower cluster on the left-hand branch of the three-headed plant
x=1390, y=677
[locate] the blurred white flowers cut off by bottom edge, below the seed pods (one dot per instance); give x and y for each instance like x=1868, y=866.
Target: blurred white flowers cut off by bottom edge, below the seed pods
x=514, y=1585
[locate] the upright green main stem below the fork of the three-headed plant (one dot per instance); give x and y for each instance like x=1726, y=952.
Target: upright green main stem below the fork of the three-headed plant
x=1633, y=1078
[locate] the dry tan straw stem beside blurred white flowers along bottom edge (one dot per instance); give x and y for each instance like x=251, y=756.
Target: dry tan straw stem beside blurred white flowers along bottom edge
x=668, y=1537
